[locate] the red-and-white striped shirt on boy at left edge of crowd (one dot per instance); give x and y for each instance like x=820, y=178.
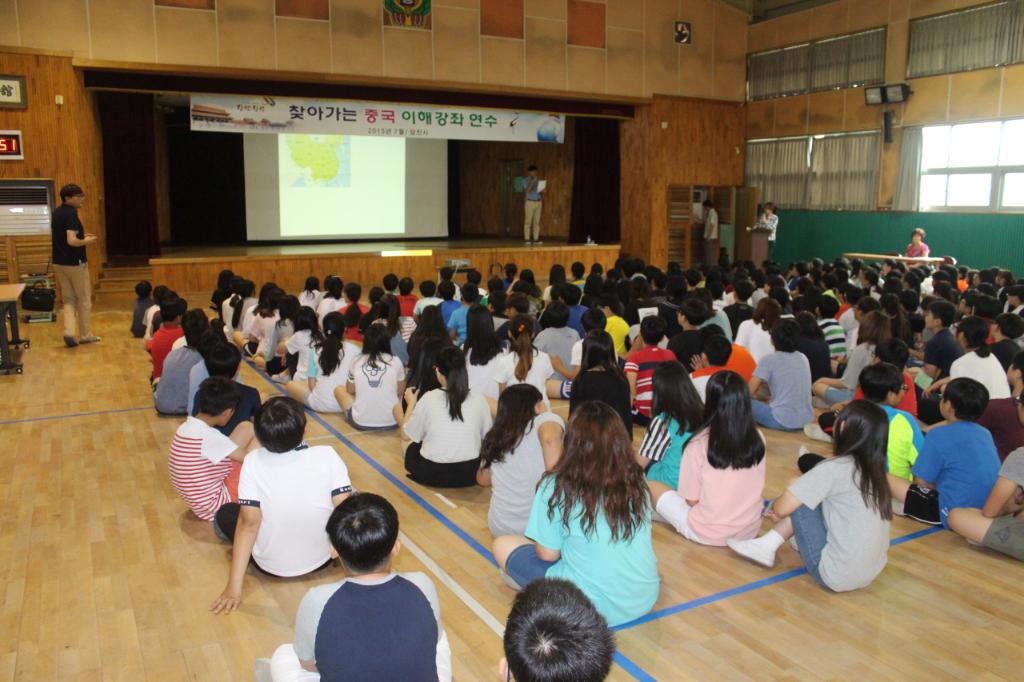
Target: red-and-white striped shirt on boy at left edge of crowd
x=199, y=465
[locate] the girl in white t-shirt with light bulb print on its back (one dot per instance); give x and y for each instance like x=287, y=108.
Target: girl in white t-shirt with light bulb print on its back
x=372, y=397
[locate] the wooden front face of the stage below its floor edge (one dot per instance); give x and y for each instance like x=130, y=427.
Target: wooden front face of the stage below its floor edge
x=197, y=277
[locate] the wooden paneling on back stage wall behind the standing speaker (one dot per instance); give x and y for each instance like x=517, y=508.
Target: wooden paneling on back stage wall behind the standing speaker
x=481, y=185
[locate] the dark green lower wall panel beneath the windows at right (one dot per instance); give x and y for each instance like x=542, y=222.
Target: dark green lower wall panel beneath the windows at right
x=975, y=240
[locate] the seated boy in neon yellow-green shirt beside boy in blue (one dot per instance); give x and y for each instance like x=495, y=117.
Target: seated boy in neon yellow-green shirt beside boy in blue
x=882, y=383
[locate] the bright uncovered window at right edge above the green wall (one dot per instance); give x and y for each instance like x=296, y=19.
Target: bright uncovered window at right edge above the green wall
x=973, y=166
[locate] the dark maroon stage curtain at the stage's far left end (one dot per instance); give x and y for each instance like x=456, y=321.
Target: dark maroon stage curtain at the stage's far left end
x=130, y=174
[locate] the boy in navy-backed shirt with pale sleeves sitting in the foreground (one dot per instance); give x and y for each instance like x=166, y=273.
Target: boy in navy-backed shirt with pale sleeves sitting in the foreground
x=374, y=625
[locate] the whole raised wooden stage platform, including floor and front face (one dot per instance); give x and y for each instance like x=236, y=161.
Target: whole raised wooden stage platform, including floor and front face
x=194, y=270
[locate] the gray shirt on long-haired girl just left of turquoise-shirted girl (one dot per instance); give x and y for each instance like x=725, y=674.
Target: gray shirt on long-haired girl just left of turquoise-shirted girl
x=515, y=481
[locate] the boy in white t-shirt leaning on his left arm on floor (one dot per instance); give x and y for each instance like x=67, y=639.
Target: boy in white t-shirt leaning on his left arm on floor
x=287, y=492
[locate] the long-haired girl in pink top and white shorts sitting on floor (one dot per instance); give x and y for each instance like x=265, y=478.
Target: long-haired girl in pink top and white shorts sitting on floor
x=722, y=478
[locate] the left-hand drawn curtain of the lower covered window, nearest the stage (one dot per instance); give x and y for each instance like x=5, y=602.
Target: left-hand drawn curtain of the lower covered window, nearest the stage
x=779, y=167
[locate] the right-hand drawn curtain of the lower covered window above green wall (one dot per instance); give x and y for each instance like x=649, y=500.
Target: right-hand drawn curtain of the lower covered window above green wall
x=844, y=173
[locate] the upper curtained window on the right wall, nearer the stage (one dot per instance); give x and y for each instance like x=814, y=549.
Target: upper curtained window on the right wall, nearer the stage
x=827, y=65
